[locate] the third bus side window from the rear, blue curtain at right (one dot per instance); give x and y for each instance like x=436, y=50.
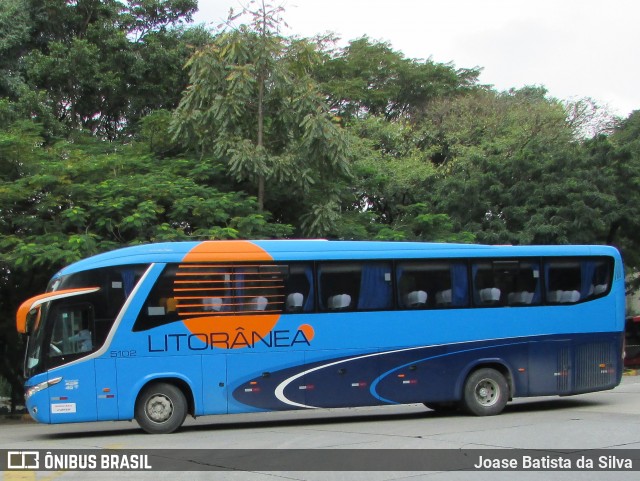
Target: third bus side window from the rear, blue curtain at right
x=431, y=284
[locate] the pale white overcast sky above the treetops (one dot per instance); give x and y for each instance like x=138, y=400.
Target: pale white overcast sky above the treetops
x=573, y=48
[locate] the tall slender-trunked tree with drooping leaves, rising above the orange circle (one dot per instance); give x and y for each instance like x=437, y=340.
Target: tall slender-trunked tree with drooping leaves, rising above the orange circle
x=252, y=103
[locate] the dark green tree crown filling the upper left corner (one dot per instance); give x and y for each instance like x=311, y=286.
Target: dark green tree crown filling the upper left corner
x=99, y=65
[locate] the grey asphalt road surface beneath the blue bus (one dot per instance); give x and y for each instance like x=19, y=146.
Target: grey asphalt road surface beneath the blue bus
x=605, y=420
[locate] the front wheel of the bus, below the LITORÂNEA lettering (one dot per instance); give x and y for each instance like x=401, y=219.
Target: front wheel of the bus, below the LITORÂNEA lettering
x=161, y=408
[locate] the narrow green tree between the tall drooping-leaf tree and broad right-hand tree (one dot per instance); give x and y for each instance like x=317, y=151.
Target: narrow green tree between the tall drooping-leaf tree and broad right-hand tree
x=385, y=199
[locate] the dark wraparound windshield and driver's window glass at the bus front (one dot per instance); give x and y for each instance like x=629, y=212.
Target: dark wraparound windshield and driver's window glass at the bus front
x=75, y=324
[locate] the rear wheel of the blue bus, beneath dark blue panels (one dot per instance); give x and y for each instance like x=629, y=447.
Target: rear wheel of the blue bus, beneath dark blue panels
x=486, y=392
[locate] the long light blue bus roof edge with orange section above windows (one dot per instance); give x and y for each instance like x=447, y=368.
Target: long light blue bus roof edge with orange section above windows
x=306, y=250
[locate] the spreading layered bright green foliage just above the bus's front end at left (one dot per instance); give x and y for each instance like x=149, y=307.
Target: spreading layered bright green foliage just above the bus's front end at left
x=101, y=194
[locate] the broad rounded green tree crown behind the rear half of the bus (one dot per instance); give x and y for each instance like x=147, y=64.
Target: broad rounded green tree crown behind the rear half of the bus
x=513, y=168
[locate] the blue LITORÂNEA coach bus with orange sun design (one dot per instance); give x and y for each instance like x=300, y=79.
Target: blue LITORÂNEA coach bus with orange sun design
x=161, y=331
